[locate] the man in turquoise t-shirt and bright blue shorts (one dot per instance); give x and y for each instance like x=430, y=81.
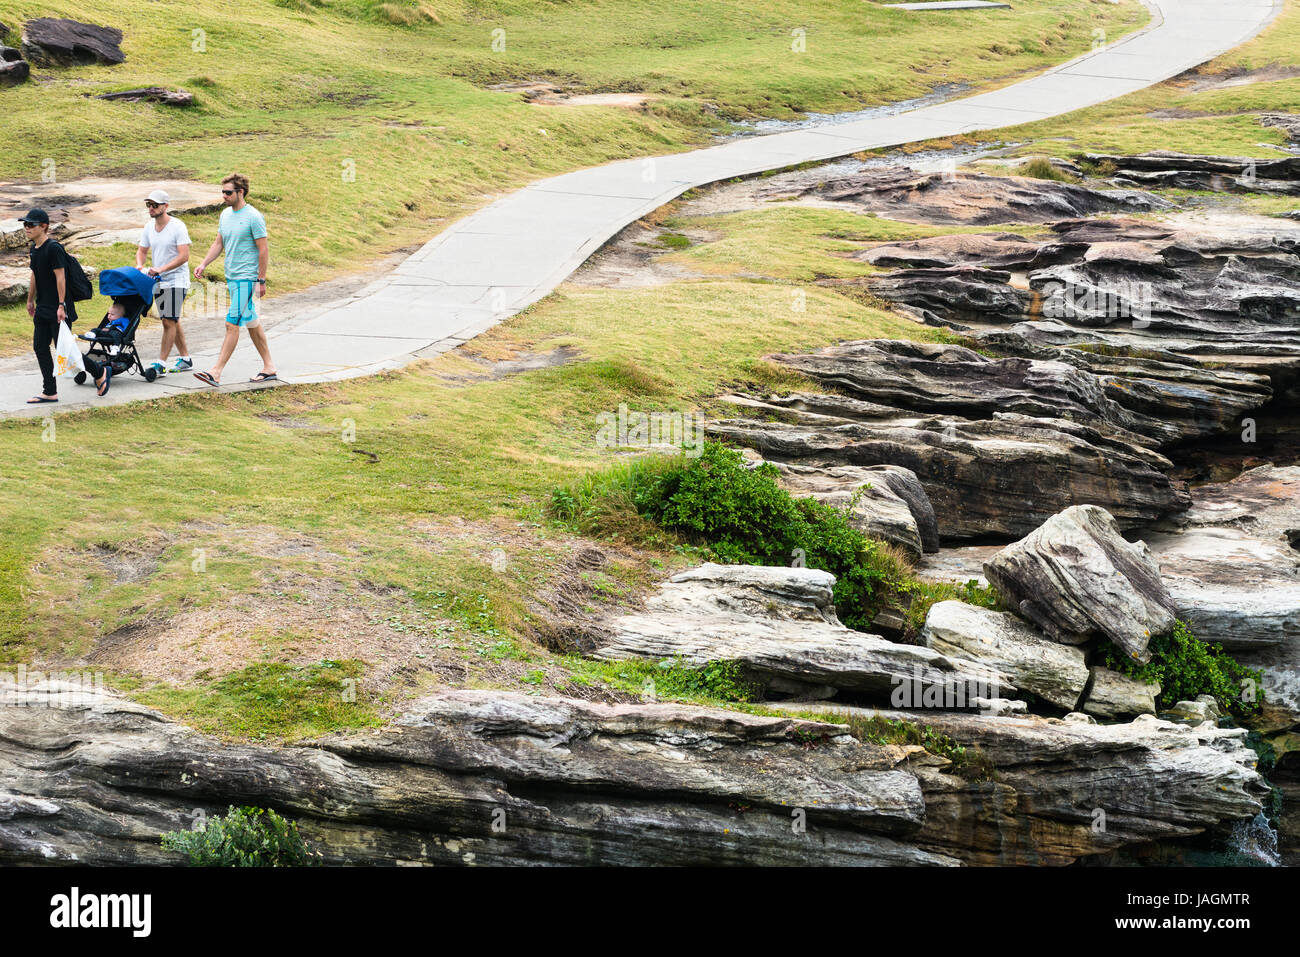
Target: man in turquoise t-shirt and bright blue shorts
x=242, y=233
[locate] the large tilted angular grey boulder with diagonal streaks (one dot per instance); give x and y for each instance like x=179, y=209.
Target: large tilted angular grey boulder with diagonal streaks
x=1077, y=579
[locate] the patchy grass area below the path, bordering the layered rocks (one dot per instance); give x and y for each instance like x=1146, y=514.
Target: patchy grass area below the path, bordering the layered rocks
x=466, y=466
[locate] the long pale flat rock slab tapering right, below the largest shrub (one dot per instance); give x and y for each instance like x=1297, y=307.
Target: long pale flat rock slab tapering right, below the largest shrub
x=781, y=625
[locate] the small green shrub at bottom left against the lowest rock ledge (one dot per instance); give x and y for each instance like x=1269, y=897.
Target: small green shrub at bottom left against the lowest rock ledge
x=242, y=838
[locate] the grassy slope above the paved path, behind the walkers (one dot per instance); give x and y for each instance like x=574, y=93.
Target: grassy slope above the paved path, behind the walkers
x=288, y=92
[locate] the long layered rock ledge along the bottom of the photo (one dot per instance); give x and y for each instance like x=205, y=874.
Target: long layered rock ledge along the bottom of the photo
x=578, y=783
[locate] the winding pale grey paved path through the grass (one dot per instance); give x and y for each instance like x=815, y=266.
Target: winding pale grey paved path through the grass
x=506, y=257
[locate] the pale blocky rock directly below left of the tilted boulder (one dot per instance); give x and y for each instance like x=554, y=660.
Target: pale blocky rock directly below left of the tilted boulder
x=1050, y=670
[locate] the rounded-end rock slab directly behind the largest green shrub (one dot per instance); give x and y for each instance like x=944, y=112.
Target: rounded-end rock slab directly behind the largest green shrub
x=885, y=503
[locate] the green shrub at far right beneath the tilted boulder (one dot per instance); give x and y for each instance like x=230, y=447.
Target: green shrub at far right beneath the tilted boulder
x=1186, y=668
